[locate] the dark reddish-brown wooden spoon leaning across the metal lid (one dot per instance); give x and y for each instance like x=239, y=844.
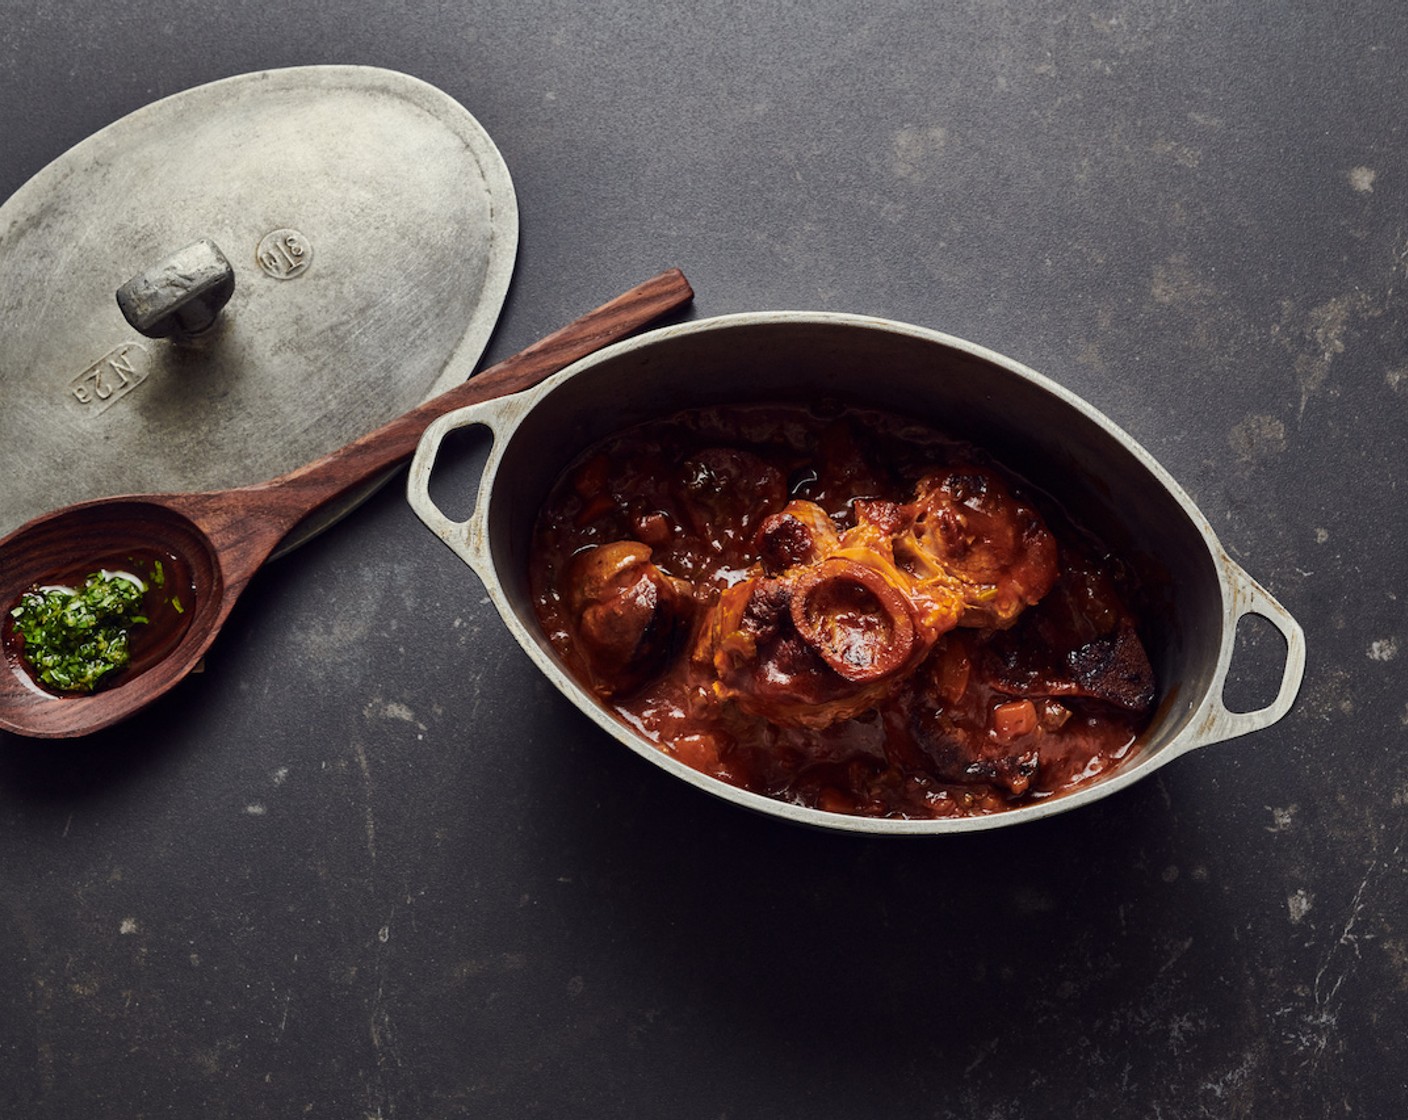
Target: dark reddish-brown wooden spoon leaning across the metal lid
x=216, y=542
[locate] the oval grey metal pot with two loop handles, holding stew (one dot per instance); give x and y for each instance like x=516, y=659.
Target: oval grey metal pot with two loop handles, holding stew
x=1051, y=437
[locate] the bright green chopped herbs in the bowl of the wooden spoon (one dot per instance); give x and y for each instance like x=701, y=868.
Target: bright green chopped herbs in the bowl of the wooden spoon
x=75, y=637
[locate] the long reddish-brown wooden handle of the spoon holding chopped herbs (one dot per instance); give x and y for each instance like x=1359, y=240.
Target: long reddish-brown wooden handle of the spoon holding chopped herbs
x=288, y=499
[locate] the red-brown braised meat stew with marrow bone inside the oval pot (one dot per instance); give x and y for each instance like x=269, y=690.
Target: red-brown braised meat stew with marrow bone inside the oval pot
x=844, y=611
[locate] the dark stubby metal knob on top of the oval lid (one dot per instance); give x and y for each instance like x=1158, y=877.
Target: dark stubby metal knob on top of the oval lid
x=181, y=297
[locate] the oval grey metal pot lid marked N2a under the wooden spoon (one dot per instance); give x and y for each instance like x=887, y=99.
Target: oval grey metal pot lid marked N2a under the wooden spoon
x=367, y=223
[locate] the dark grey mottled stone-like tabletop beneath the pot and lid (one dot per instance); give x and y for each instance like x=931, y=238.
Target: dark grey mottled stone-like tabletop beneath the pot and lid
x=370, y=864
